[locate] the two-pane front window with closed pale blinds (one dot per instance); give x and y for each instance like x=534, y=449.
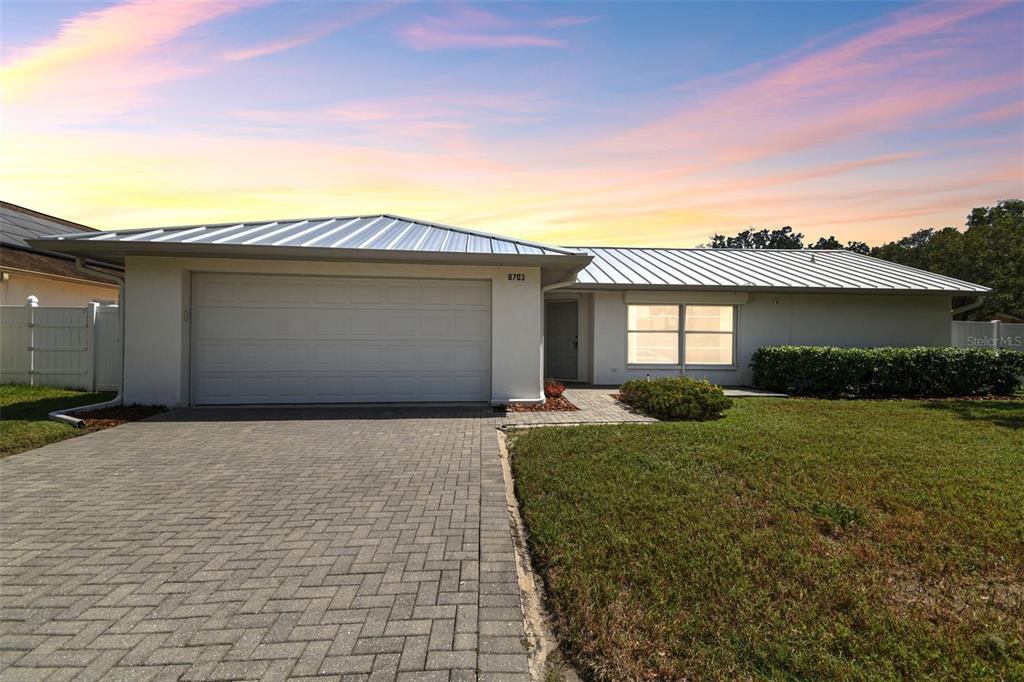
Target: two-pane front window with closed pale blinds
x=655, y=336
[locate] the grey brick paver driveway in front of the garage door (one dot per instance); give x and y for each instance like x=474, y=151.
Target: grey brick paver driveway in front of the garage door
x=241, y=544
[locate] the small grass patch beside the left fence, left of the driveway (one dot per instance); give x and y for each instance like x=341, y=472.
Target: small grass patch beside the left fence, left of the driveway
x=23, y=415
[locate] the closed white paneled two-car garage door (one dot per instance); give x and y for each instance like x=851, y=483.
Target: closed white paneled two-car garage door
x=306, y=339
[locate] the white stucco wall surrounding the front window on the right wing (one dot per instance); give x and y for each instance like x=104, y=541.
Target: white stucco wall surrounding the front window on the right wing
x=849, y=321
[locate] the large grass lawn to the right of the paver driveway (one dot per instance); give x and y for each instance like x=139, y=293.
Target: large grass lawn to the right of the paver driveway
x=792, y=539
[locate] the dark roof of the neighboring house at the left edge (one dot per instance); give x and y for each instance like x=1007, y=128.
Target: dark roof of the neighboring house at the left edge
x=19, y=225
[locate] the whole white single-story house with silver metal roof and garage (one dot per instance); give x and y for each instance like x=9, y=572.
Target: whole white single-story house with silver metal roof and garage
x=383, y=309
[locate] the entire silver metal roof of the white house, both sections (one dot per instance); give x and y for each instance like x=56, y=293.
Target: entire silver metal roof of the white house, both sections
x=611, y=268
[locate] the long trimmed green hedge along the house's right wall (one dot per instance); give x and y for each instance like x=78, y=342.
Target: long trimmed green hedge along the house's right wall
x=829, y=372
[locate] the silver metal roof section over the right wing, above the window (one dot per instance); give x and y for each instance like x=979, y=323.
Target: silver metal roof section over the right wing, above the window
x=759, y=269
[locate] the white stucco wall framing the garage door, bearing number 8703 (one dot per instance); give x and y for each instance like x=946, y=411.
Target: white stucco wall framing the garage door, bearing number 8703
x=157, y=326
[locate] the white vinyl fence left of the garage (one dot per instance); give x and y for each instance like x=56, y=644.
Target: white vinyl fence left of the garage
x=66, y=348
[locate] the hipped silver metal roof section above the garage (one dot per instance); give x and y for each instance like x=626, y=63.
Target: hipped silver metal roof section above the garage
x=387, y=233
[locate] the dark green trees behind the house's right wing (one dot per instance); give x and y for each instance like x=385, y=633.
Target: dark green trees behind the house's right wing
x=989, y=251
